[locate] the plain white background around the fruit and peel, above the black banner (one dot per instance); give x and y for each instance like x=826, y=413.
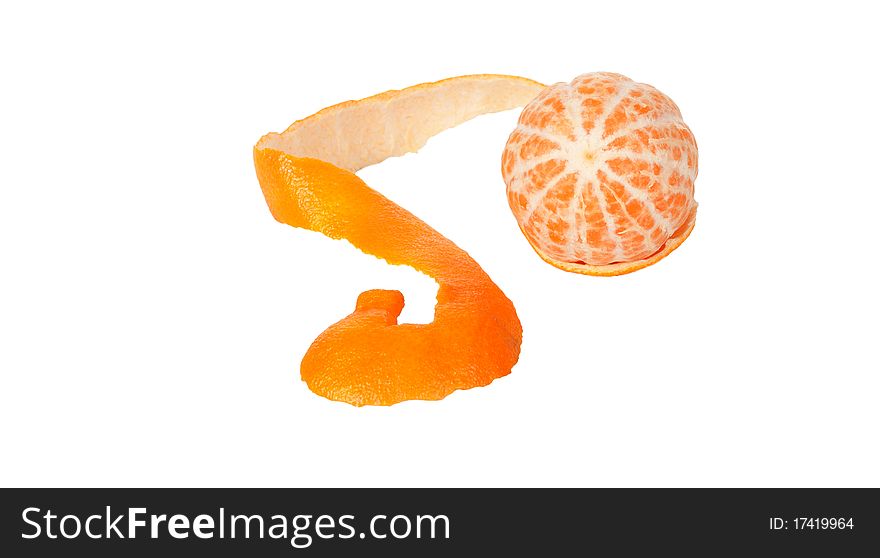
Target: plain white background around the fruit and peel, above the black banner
x=153, y=314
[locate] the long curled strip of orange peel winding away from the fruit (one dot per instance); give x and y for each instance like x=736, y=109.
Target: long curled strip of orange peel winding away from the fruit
x=307, y=177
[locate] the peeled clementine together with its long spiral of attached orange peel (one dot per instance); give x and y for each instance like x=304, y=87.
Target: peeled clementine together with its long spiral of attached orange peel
x=600, y=176
